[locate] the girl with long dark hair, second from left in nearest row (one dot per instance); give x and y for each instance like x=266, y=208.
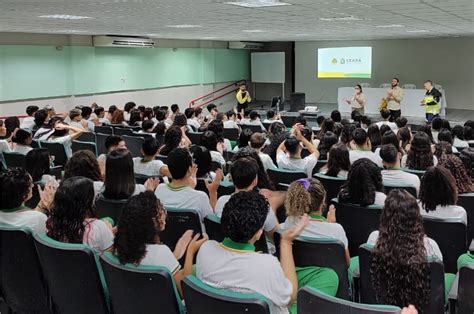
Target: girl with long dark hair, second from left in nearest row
x=73, y=219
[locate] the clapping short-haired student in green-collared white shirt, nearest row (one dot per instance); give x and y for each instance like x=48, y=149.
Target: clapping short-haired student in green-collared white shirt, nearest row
x=234, y=264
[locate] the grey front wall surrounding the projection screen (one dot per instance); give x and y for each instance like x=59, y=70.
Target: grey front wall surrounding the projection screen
x=447, y=61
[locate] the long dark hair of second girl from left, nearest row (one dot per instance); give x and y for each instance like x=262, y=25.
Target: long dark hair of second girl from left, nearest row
x=73, y=203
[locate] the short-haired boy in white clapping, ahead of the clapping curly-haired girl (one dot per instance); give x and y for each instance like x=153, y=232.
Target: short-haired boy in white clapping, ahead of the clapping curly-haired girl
x=180, y=193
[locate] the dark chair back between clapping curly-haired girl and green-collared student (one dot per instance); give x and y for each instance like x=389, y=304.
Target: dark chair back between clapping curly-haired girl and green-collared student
x=177, y=222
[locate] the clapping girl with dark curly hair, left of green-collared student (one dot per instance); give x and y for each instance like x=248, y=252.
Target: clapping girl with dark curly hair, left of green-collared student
x=137, y=239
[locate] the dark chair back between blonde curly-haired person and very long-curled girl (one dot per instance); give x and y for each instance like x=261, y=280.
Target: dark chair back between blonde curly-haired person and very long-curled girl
x=350, y=217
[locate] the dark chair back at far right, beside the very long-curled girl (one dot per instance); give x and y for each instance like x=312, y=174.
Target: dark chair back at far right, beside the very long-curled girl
x=451, y=246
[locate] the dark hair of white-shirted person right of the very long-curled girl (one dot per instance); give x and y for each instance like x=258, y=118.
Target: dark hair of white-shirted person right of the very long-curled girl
x=438, y=187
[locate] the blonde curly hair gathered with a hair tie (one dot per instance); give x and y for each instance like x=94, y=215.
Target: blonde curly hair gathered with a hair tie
x=304, y=196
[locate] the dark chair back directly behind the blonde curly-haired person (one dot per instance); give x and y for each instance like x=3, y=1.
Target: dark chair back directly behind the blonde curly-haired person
x=321, y=252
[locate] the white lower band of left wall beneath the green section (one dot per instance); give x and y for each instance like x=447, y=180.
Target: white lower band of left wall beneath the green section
x=181, y=95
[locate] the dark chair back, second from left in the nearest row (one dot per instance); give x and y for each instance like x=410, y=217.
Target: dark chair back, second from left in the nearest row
x=73, y=275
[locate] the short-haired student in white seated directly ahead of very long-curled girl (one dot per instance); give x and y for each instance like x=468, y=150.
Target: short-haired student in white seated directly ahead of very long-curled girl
x=392, y=174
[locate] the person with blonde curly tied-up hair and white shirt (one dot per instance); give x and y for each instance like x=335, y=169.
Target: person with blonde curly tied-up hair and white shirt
x=308, y=196
